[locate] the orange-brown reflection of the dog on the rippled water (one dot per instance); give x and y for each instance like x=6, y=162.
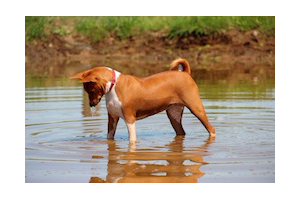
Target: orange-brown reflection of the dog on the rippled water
x=138, y=167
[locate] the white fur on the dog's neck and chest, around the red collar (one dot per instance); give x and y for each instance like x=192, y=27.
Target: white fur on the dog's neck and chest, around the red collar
x=113, y=103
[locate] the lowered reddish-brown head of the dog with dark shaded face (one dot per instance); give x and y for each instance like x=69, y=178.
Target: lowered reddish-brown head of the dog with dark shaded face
x=94, y=83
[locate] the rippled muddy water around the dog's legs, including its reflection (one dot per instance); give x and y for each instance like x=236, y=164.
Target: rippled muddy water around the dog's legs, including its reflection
x=66, y=142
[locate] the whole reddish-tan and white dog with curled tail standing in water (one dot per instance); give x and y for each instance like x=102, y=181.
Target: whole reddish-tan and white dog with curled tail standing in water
x=133, y=98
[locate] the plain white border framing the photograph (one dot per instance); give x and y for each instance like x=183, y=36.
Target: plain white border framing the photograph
x=12, y=102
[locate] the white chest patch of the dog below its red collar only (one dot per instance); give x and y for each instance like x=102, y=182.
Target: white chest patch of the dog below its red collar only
x=113, y=104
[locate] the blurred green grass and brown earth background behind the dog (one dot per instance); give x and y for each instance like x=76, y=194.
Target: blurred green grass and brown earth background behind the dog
x=227, y=48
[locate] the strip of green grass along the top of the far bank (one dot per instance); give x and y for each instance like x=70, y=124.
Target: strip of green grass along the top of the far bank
x=96, y=29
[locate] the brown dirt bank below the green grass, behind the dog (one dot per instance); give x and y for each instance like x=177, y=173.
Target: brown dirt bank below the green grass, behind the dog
x=248, y=52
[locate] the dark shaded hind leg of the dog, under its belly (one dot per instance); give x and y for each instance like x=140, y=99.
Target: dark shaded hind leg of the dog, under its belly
x=174, y=113
